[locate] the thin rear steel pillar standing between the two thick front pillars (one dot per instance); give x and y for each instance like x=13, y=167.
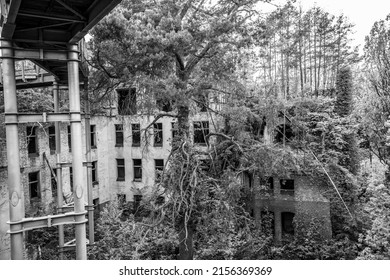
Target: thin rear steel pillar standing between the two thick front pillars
x=60, y=200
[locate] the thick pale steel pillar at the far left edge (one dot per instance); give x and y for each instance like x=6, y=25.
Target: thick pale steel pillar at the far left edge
x=16, y=205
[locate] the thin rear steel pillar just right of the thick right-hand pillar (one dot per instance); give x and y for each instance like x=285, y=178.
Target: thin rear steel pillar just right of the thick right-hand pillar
x=91, y=233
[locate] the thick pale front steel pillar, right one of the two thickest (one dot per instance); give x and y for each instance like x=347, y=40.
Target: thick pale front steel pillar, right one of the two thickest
x=77, y=151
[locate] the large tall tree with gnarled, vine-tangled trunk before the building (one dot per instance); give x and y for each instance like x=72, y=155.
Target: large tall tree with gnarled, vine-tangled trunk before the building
x=178, y=49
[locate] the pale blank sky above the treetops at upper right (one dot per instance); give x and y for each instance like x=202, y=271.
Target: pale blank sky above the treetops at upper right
x=363, y=13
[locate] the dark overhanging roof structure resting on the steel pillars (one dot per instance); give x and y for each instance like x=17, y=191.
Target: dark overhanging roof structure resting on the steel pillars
x=51, y=25
